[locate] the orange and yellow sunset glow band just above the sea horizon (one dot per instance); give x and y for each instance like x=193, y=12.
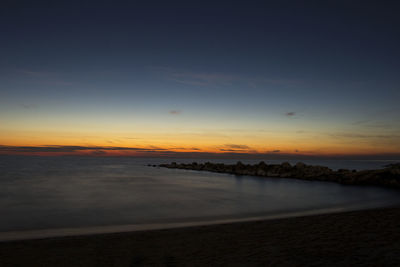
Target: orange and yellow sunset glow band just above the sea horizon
x=164, y=143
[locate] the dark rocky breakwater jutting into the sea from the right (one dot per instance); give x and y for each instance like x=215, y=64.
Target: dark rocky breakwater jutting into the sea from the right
x=388, y=176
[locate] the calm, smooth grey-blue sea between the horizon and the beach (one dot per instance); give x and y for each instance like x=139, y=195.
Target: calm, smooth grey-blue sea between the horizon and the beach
x=59, y=192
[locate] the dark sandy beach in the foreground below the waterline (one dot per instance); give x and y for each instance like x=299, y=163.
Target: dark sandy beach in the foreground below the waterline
x=358, y=238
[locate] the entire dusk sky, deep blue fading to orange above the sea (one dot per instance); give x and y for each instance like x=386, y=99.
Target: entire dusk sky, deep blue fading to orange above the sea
x=199, y=78
